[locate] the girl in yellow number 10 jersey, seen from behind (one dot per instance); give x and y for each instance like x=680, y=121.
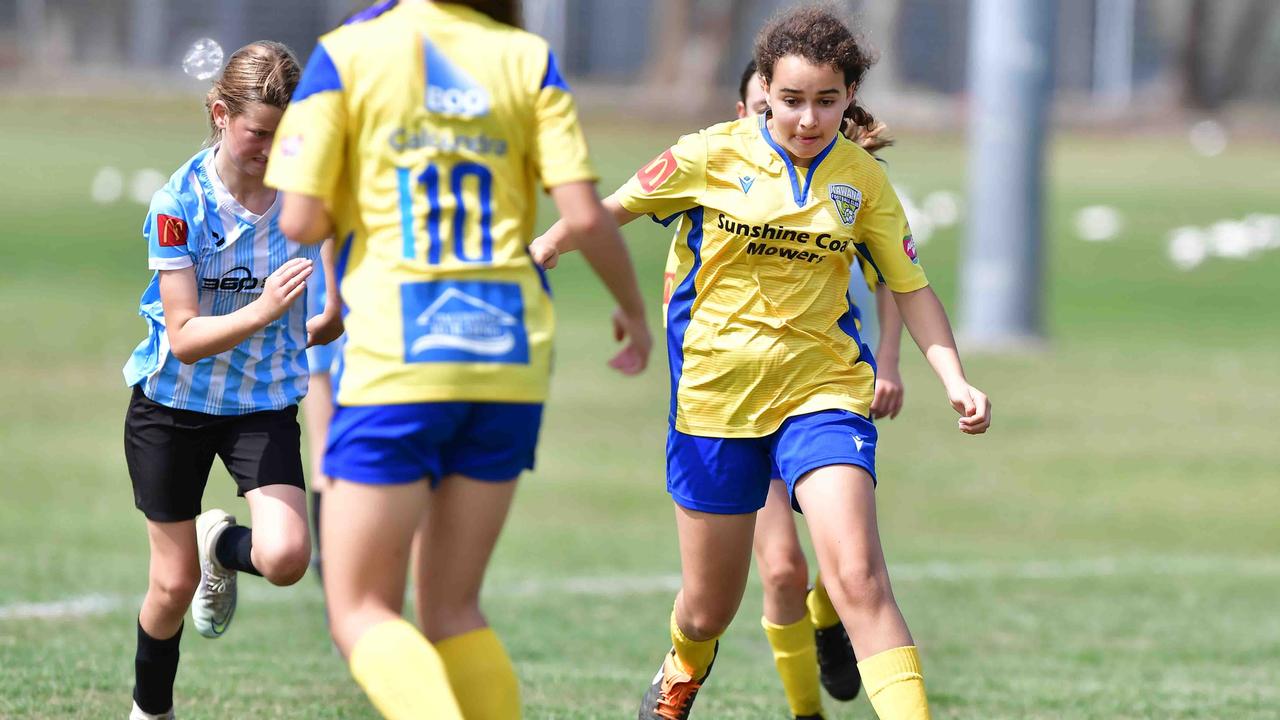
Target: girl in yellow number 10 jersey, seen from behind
x=418, y=138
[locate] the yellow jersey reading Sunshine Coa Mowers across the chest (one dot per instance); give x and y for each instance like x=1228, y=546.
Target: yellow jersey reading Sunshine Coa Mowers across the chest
x=760, y=325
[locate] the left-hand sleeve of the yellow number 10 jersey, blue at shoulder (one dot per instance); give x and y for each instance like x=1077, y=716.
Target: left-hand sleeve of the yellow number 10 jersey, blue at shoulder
x=309, y=152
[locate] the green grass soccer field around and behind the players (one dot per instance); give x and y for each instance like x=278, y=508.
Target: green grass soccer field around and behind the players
x=1110, y=550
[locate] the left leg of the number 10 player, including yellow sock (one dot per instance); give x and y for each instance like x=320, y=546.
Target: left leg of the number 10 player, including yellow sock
x=368, y=530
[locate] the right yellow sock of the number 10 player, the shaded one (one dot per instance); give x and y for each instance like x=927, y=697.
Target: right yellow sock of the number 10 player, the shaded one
x=482, y=676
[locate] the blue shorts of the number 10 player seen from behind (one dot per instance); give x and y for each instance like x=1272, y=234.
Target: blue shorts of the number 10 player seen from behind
x=404, y=444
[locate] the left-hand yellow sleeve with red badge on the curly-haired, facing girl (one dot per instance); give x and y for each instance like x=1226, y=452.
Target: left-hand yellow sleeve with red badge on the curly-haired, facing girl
x=671, y=184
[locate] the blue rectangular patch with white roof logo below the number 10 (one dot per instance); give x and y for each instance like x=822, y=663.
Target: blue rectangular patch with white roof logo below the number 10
x=464, y=322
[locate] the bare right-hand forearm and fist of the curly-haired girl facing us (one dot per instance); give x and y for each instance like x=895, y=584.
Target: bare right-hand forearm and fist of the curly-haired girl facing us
x=926, y=320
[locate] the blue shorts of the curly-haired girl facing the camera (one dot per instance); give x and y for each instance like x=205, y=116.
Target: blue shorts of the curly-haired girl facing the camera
x=732, y=476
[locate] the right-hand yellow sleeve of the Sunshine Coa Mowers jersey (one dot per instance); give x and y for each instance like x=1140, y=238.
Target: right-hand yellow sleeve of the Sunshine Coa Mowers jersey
x=885, y=243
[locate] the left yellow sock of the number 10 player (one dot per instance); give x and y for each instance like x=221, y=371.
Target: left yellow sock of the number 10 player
x=403, y=675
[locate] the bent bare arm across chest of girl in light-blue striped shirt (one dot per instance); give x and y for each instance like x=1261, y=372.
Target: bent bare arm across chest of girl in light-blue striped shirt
x=194, y=336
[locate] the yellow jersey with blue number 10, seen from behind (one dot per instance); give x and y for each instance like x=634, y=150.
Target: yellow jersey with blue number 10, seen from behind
x=426, y=130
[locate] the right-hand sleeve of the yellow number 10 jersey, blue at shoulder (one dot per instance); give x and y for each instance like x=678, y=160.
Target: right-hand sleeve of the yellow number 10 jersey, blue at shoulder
x=560, y=147
